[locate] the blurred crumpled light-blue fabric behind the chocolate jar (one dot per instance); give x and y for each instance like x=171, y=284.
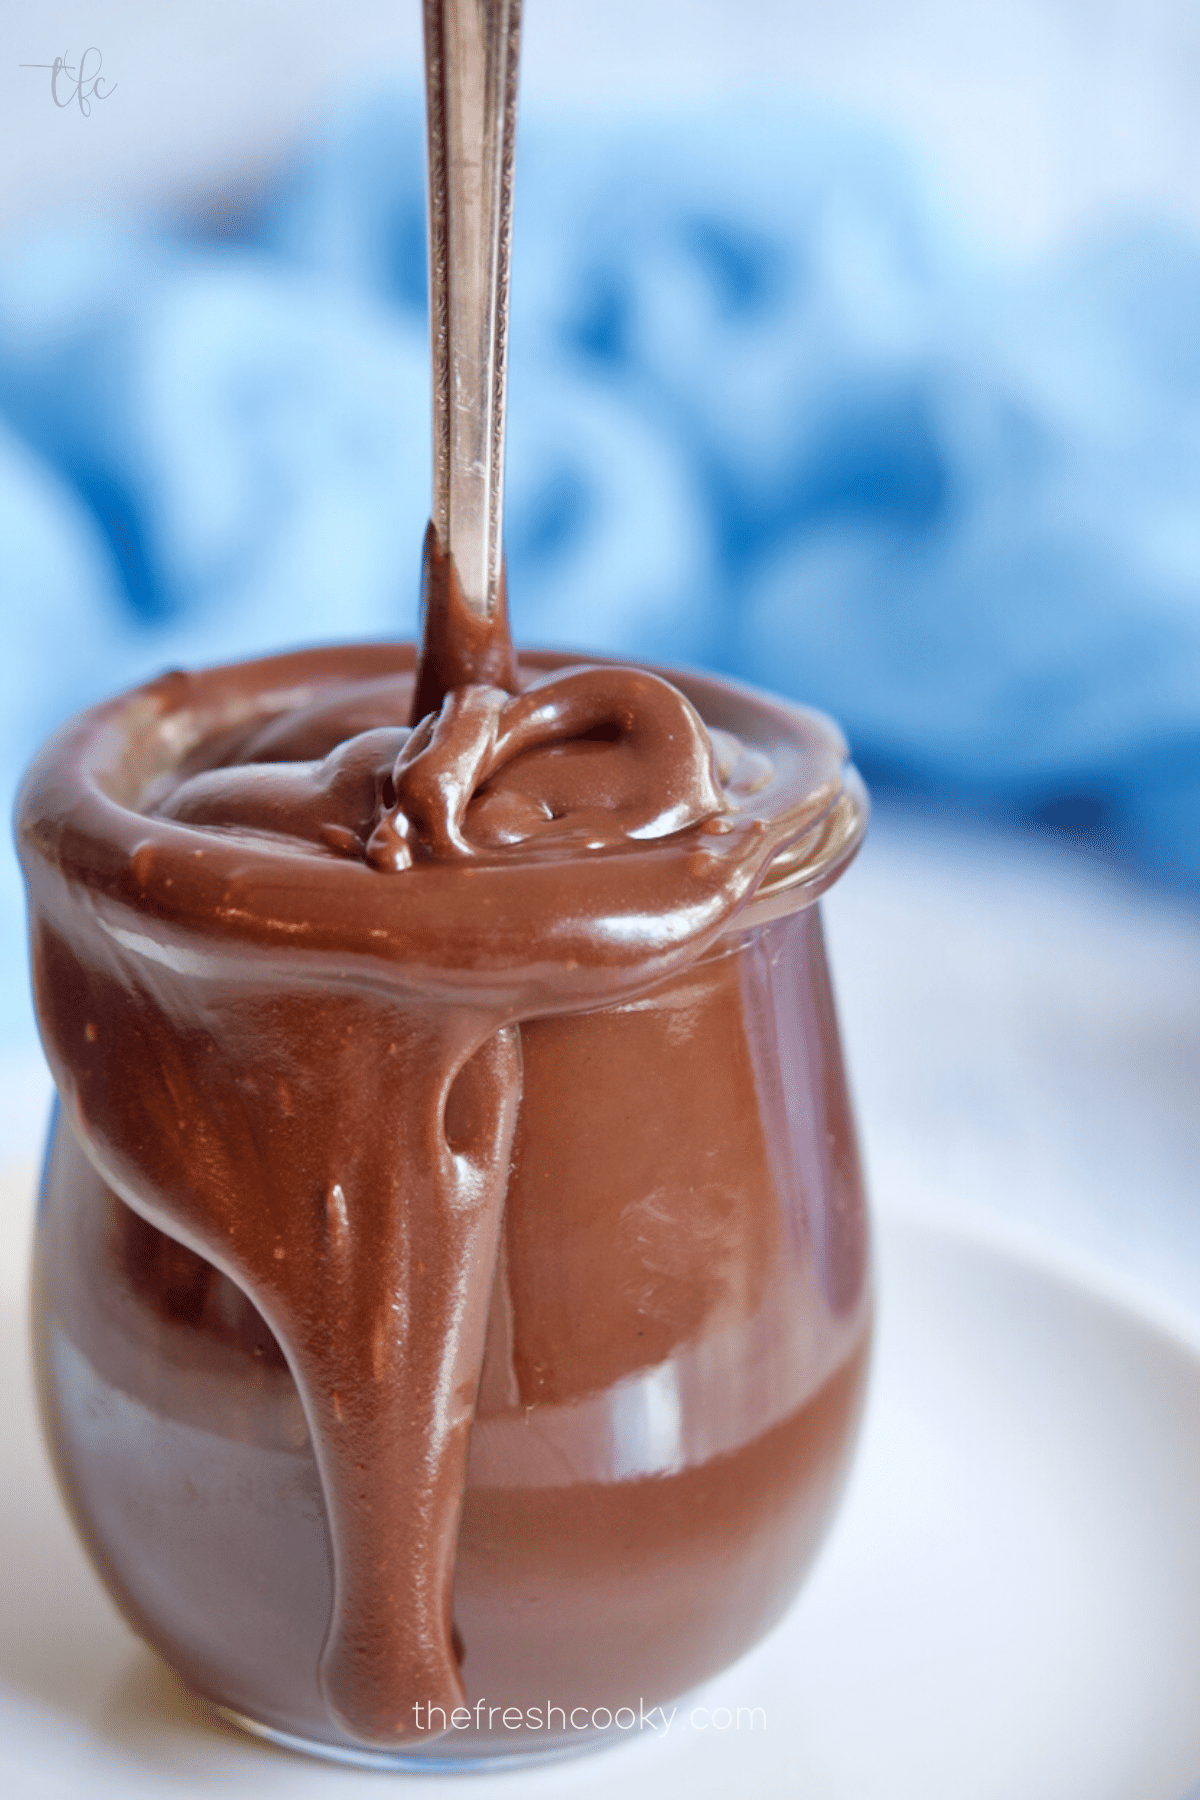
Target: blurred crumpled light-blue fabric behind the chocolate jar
x=771, y=413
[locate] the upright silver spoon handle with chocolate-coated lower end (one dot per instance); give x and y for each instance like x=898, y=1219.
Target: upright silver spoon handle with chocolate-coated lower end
x=470, y=96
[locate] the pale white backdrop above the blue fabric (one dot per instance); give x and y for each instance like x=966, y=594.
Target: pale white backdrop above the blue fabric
x=1041, y=114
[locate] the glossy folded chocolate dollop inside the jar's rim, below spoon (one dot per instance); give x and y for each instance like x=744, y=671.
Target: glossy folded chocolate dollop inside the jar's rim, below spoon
x=595, y=757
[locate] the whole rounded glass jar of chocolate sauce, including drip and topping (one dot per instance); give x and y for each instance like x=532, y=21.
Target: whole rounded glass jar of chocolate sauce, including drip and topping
x=452, y=1288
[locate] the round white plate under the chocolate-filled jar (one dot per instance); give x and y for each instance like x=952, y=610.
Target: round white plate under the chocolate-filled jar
x=1008, y=1610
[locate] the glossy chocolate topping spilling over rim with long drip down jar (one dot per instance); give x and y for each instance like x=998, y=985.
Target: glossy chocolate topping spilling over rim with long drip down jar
x=319, y=931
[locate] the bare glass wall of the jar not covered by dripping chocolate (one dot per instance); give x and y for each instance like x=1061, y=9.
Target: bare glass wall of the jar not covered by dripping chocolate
x=672, y=1381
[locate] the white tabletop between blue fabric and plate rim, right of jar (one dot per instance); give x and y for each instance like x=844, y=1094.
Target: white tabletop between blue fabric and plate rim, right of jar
x=1023, y=1032
